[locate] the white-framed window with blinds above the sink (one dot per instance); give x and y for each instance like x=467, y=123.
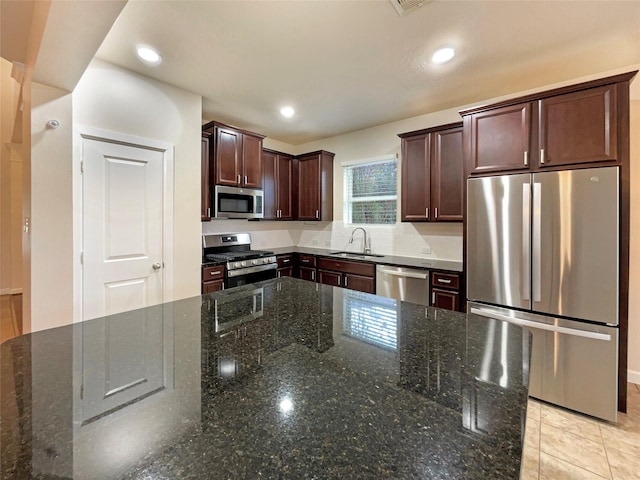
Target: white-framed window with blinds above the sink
x=370, y=191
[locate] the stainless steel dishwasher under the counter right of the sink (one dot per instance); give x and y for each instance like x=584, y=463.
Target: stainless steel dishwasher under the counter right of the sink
x=401, y=283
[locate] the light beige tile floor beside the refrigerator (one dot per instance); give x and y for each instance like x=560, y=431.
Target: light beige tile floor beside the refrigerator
x=562, y=445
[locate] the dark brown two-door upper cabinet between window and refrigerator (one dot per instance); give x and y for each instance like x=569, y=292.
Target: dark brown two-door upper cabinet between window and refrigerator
x=432, y=174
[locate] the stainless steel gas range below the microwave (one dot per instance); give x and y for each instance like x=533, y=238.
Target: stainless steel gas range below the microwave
x=243, y=265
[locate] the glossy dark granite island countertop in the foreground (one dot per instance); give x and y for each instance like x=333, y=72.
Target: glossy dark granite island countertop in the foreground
x=282, y=379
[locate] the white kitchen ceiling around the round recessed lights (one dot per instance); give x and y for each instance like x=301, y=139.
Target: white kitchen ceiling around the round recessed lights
x=348, y=65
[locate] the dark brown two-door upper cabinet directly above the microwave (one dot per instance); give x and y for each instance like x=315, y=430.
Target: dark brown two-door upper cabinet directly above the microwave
x=237, y=156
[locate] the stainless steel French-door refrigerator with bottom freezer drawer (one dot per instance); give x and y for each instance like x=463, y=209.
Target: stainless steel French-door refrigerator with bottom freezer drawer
x=543, y=253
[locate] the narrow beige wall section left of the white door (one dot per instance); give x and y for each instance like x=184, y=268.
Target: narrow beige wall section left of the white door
x=51, y=209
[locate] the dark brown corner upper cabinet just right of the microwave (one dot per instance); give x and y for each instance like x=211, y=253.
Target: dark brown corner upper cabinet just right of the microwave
x=277, y=185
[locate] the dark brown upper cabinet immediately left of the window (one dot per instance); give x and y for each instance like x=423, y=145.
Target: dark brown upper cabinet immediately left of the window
x=315, y=186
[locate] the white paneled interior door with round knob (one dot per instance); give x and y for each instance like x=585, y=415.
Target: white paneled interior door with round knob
x=122, y=227
